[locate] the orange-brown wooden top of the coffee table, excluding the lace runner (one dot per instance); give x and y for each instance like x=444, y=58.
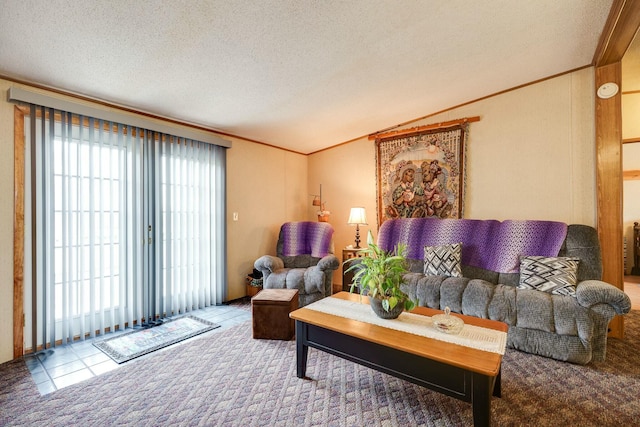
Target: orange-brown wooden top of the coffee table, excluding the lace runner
x=483, y=362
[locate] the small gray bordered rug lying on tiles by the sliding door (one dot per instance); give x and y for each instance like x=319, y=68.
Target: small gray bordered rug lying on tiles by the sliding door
x=134, y=344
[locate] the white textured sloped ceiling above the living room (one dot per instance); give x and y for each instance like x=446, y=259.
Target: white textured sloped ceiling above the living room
x=298, y=74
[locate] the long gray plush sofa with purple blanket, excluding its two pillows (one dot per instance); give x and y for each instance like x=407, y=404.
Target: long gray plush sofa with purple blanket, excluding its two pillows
x=571, y=328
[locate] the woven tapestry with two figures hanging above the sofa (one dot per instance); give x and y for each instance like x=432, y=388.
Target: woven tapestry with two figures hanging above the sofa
x=422, y=174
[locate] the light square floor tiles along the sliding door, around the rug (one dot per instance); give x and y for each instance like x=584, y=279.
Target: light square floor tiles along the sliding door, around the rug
x=65, y=365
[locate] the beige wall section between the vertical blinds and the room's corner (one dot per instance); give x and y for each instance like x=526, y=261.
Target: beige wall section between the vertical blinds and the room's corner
x=266, y=187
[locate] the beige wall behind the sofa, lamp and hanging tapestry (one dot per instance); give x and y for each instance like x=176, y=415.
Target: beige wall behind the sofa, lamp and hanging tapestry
x=531, y=156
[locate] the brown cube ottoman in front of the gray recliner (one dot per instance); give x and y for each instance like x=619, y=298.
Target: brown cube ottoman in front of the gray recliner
x=270, y=310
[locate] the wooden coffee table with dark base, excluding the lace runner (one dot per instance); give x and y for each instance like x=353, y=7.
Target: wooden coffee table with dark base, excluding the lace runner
x=462, y=372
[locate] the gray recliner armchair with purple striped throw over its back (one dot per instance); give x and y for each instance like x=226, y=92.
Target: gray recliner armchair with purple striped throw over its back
x=304, y=261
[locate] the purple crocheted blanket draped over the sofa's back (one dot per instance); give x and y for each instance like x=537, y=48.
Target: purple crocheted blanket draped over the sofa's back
x=488, y=244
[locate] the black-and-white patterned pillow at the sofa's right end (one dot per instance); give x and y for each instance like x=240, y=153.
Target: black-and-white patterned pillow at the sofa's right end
x=549, y=274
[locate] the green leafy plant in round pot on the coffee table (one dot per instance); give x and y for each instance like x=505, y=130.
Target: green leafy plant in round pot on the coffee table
x=378, y=274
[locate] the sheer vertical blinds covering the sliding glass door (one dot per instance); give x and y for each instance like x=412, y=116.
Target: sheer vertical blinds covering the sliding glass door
x=127, y=225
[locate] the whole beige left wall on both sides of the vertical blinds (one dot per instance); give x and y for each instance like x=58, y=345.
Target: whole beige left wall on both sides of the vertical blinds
x=265, y=185
